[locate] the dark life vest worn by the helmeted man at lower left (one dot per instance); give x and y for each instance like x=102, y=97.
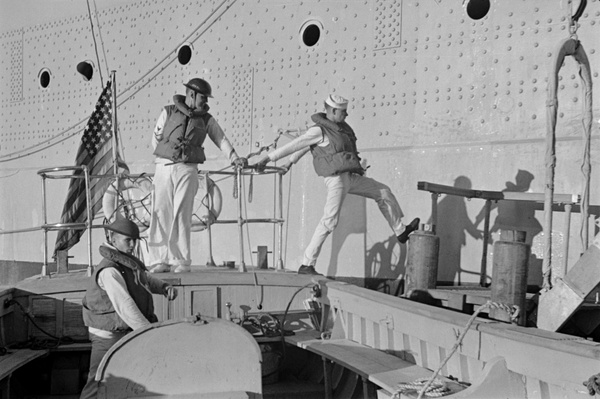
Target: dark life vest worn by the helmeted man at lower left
x=98, y=310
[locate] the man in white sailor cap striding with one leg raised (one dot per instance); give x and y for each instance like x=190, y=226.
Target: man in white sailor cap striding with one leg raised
x=332, y=143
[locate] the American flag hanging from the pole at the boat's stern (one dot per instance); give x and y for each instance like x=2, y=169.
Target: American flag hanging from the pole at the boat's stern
x=95, y=151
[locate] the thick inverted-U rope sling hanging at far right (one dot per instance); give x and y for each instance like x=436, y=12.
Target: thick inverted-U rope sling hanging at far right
x=572, y=47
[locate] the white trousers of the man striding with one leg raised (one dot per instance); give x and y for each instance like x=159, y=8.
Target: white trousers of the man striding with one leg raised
x=337, y=188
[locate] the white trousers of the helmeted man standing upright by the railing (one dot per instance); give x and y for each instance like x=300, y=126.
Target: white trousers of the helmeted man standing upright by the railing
x=175, y=187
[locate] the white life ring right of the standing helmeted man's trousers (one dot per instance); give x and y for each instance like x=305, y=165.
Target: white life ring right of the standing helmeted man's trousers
x=207, y=204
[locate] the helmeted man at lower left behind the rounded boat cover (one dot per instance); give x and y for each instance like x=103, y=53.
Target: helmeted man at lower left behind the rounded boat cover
x=119, y=297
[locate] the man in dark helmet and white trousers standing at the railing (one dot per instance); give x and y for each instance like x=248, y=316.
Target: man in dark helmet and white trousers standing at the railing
x=178, y=141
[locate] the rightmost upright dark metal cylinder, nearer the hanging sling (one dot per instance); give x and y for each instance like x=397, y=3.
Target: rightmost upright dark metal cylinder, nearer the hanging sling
x=509, y=276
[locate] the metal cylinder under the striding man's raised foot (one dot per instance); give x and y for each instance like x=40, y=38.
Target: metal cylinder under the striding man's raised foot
x=422, y=259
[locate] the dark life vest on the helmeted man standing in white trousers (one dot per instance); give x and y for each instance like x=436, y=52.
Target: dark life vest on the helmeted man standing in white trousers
x=179, y=145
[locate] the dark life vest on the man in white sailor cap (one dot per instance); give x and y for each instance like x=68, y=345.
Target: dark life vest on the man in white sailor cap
x=340, y=155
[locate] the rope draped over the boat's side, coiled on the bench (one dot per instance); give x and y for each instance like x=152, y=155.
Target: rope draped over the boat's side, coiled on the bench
x=513, y=311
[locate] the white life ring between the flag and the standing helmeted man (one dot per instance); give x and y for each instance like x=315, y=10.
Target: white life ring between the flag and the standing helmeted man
x=134, y=202
